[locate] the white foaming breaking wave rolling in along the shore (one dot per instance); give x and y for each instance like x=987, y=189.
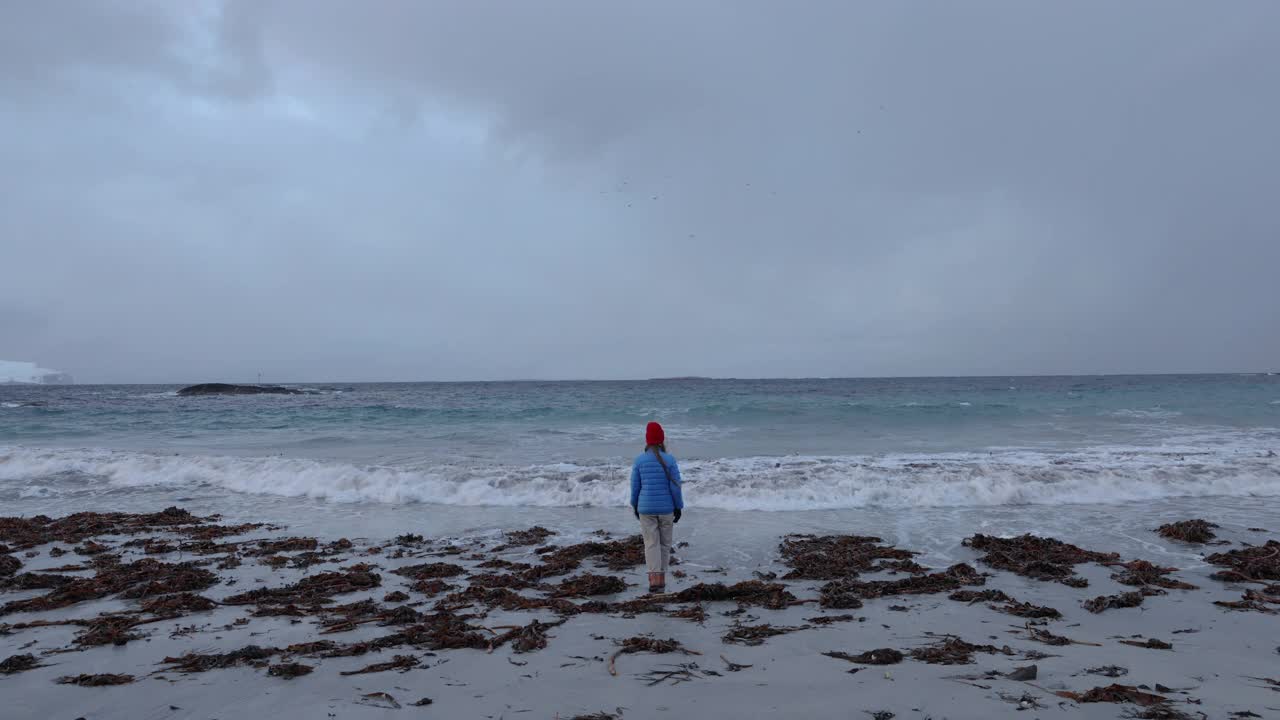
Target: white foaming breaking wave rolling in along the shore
x=1000, y=479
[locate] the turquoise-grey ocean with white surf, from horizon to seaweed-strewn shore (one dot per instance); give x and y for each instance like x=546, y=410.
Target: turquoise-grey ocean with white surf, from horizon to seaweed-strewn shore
x=908, y=457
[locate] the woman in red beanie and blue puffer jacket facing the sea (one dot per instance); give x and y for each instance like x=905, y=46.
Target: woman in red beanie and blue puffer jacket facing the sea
x=657, y=503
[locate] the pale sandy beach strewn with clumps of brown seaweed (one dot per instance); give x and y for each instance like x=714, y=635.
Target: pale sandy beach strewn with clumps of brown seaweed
x=199, y=619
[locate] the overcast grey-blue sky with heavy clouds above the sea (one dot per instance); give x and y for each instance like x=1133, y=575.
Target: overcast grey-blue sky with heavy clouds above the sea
x=324, y=190
